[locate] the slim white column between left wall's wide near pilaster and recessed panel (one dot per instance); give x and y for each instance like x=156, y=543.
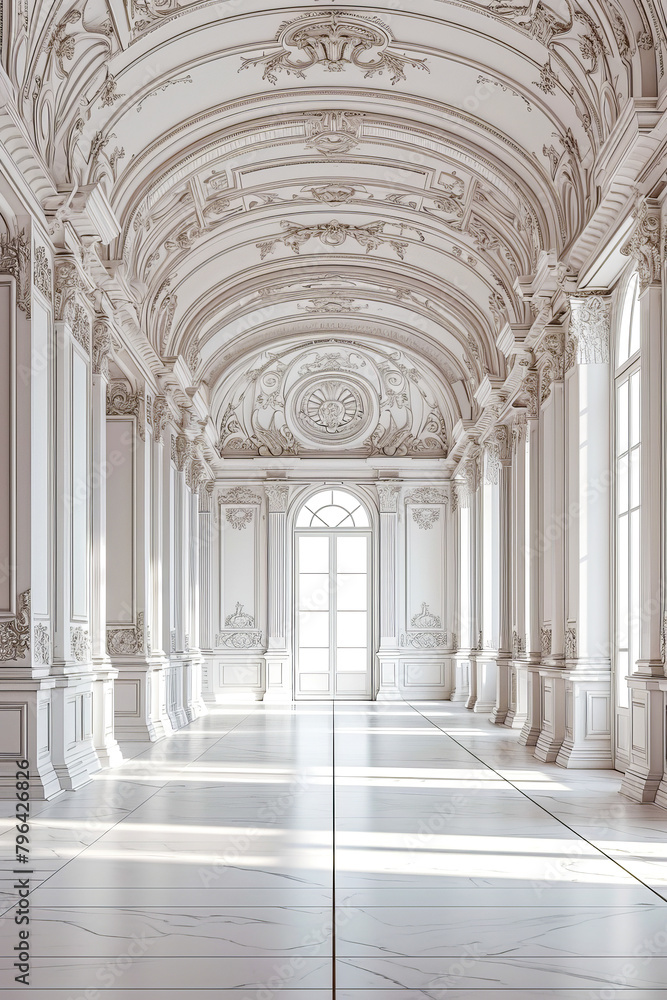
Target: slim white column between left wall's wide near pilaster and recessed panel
x=104, y=739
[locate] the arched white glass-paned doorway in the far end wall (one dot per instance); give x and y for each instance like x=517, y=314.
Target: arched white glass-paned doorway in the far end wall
x=332, y=598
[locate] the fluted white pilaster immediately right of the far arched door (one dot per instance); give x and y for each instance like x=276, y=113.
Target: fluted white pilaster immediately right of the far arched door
x=387, y=684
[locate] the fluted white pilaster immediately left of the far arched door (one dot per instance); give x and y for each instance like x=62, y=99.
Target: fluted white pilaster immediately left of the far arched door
x=279, y=654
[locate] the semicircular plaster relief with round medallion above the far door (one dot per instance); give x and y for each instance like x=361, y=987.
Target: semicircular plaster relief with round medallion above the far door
x=377, y=402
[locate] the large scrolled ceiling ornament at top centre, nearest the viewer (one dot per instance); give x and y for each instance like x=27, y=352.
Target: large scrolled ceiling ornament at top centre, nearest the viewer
x=334, y=41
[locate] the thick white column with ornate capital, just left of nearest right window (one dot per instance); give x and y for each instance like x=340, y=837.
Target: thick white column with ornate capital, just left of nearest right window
x=589, y=708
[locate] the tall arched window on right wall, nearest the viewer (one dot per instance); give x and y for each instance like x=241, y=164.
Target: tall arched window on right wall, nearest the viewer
x=628, y=496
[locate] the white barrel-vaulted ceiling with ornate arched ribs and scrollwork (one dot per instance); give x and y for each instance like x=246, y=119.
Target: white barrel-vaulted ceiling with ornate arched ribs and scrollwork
x=336, y=173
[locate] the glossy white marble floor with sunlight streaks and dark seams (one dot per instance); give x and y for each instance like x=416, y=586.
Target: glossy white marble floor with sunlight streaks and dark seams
x=456, y=865
